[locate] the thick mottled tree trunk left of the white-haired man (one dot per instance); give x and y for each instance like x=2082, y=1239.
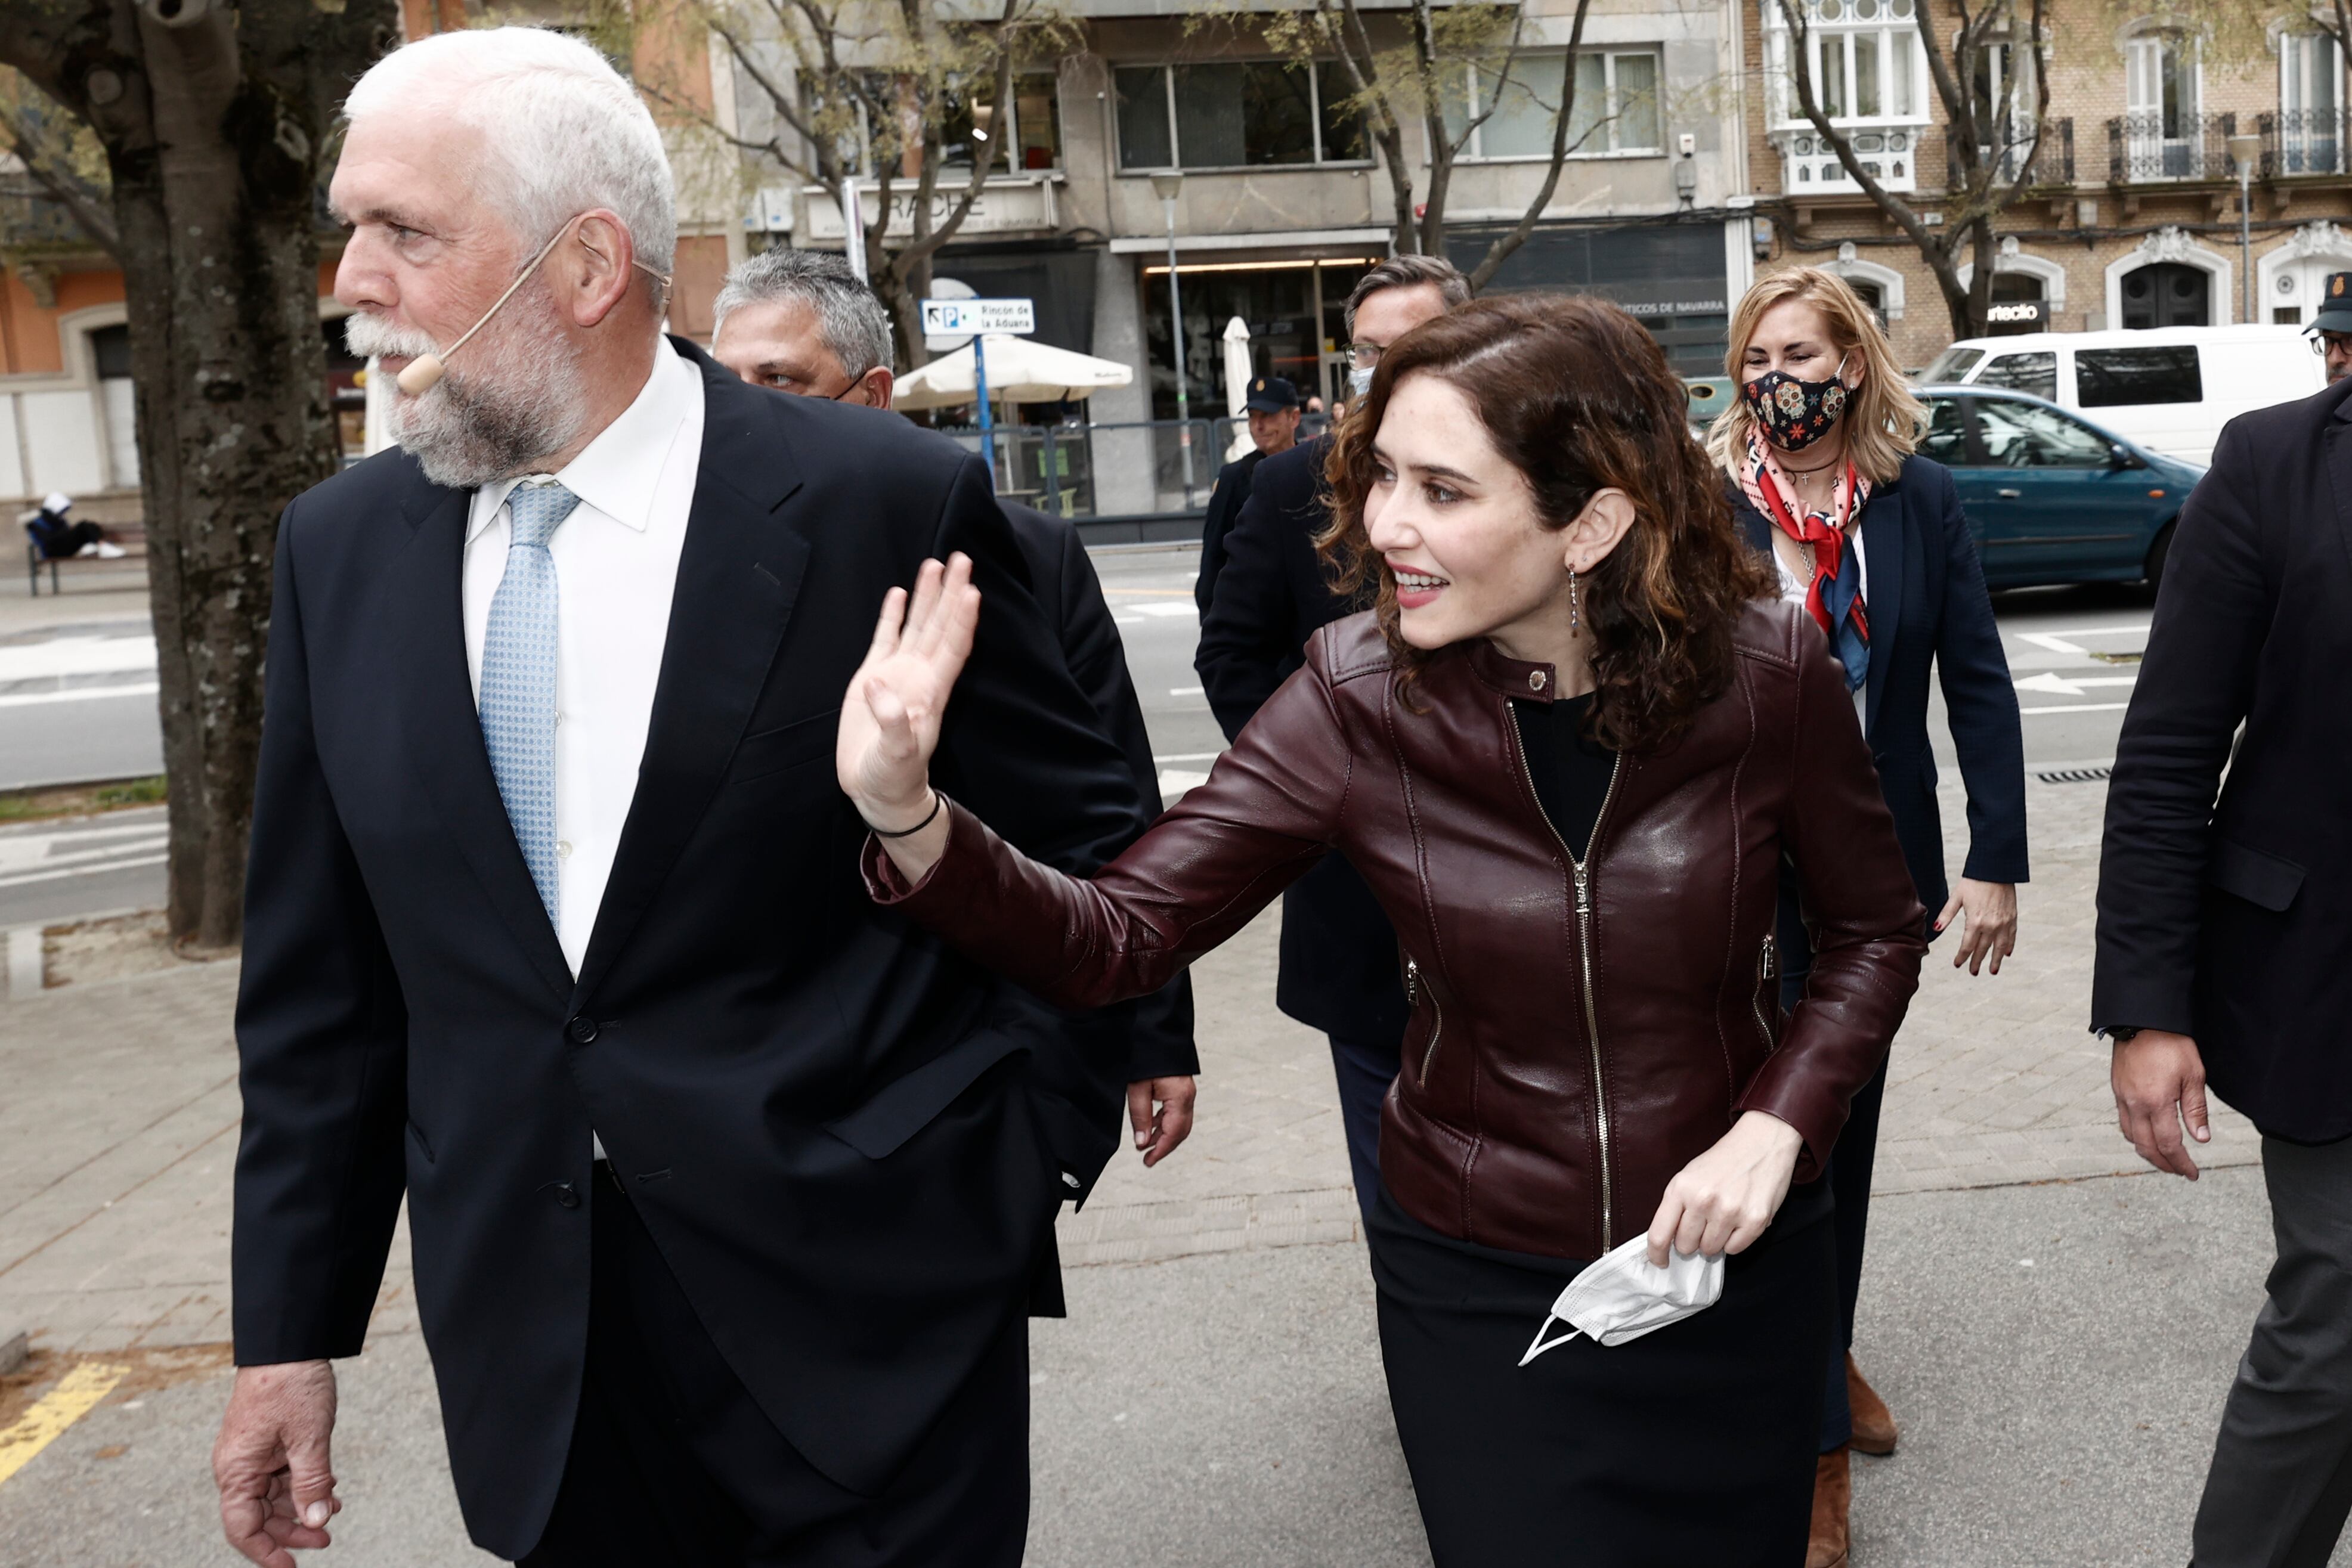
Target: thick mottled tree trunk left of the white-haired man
x=213, y=123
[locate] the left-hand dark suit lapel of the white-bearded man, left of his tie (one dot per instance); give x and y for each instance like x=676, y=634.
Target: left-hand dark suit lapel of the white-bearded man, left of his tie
x=434, y=697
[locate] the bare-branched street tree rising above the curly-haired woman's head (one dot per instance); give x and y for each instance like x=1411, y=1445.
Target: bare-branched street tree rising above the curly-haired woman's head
x=1450, y=72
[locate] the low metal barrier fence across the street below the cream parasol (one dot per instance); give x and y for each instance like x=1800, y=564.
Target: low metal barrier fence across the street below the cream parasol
x=1116, y=471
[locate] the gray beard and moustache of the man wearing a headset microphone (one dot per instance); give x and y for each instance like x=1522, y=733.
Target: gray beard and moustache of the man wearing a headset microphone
x=514, y=406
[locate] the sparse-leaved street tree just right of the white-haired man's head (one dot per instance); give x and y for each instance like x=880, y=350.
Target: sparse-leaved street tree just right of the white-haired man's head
x=895, y=93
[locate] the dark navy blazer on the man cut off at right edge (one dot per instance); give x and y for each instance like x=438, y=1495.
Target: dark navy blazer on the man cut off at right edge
x=2226, y=878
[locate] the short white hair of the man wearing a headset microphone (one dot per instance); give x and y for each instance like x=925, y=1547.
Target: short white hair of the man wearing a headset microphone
x=563, y=130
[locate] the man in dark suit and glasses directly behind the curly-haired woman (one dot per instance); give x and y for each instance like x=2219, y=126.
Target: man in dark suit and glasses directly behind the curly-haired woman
x=1339, y=953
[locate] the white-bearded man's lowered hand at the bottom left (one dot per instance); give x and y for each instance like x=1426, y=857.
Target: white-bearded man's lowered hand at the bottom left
x=272, y=1461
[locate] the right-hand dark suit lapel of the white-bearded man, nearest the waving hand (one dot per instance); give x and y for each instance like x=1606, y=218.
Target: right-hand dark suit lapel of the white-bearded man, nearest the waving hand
x=737, y=582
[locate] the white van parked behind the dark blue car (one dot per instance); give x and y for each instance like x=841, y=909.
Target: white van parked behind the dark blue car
x=2170, y=389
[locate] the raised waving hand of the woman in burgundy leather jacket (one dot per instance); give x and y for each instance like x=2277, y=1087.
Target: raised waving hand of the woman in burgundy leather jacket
x=897, y=702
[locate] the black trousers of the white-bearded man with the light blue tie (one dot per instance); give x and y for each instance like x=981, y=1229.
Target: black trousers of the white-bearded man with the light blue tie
x=676, y=1466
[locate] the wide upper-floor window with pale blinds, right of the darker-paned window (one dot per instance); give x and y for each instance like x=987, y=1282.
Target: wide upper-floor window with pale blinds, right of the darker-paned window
x=1617, y=107
